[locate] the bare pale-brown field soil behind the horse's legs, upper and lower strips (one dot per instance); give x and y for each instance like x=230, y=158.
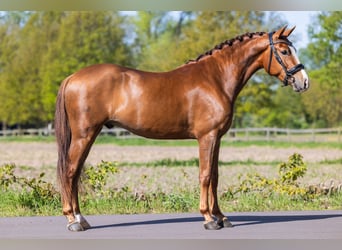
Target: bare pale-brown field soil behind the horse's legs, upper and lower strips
x=33, y=158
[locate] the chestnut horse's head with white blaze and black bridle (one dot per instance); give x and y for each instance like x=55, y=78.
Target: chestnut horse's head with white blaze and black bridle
x=282, y=61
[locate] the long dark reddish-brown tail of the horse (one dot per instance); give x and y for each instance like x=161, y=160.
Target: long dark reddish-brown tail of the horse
x=63, y=135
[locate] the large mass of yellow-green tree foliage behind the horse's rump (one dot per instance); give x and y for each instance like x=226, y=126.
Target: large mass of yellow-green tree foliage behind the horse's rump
x=40, y=50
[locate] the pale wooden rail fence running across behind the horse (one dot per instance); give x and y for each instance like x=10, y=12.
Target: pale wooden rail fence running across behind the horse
x=234, y=134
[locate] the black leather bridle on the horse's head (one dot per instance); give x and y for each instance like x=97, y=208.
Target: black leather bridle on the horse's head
x=288, y=73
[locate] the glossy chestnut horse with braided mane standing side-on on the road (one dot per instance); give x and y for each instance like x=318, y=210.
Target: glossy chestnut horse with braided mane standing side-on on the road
x=193, y=101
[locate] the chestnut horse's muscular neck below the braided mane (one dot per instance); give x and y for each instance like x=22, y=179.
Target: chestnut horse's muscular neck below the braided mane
x=237, y=64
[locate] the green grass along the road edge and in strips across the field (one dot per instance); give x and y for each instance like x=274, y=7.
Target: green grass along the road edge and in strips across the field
x=29, y=201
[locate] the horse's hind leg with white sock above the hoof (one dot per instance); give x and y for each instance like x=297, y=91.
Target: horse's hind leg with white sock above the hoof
x=78, y=152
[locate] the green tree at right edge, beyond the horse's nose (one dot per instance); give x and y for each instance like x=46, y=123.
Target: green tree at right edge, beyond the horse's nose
x=324, y=104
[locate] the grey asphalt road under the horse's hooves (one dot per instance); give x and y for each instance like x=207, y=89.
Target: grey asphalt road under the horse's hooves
x=251, y=225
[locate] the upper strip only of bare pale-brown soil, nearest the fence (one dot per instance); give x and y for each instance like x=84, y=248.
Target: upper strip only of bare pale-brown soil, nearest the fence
x=45, y=154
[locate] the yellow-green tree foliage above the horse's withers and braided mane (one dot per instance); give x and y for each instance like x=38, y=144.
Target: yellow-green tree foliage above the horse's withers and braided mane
x=180, y=37
